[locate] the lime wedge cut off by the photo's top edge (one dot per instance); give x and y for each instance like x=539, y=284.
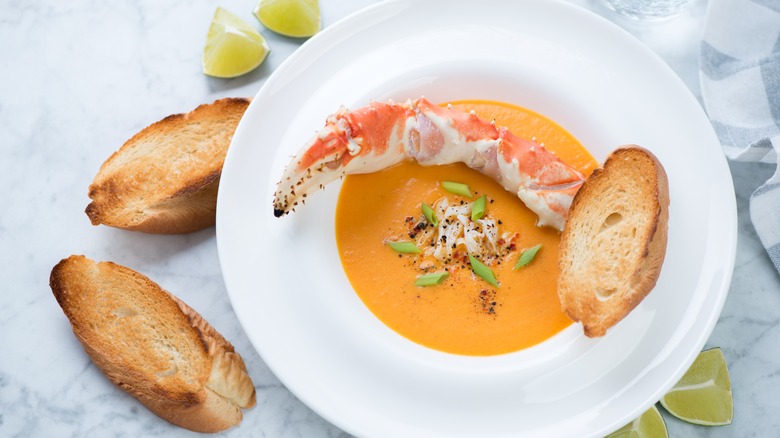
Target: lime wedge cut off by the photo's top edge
x=294, y=18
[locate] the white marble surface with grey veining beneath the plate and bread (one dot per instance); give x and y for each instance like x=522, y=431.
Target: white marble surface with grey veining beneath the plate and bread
x=80, y=77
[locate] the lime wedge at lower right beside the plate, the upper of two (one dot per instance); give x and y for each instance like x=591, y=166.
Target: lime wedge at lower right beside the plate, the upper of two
x=703, y=395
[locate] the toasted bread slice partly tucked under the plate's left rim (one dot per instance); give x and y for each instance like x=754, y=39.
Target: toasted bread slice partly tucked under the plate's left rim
x=164, y=179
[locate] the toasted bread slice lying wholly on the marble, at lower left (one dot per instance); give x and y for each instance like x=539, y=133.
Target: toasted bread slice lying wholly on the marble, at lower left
x=152, y=345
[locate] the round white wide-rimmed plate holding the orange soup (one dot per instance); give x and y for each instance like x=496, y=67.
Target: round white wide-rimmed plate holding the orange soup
x=290, y=293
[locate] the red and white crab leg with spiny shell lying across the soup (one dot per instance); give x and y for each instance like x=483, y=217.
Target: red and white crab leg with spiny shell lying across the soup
x=380, y=135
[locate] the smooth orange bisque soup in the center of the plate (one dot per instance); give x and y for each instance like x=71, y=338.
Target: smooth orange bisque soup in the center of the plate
x=464, y=314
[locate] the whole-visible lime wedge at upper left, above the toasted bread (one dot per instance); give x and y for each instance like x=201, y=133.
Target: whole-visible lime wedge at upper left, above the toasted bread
x=233, y=47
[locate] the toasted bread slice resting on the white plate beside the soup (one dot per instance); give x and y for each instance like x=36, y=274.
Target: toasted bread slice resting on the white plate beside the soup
x=614, y=241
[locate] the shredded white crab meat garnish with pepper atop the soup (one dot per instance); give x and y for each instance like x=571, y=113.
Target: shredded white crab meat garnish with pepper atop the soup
x=457, y=235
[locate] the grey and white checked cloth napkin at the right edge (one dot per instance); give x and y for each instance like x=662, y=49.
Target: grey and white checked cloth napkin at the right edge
x=740, y=80
